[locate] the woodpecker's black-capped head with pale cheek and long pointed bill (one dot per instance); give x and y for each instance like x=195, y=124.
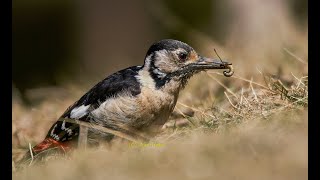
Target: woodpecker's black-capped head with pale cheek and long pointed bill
x=172, y=59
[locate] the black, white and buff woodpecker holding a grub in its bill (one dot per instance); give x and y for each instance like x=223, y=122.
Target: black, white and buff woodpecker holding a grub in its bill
x=139, y=97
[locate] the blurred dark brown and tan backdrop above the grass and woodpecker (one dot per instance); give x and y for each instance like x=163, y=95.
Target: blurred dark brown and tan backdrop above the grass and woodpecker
x=63, y=42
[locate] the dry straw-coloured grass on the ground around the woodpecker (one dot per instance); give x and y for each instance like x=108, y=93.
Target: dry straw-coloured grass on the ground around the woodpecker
x=257, y=130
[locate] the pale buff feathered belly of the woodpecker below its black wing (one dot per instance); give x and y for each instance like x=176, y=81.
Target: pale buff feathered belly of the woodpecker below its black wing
x=149, y=108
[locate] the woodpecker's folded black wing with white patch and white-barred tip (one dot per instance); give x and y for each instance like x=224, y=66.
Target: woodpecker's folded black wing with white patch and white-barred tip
x=111, y=86
